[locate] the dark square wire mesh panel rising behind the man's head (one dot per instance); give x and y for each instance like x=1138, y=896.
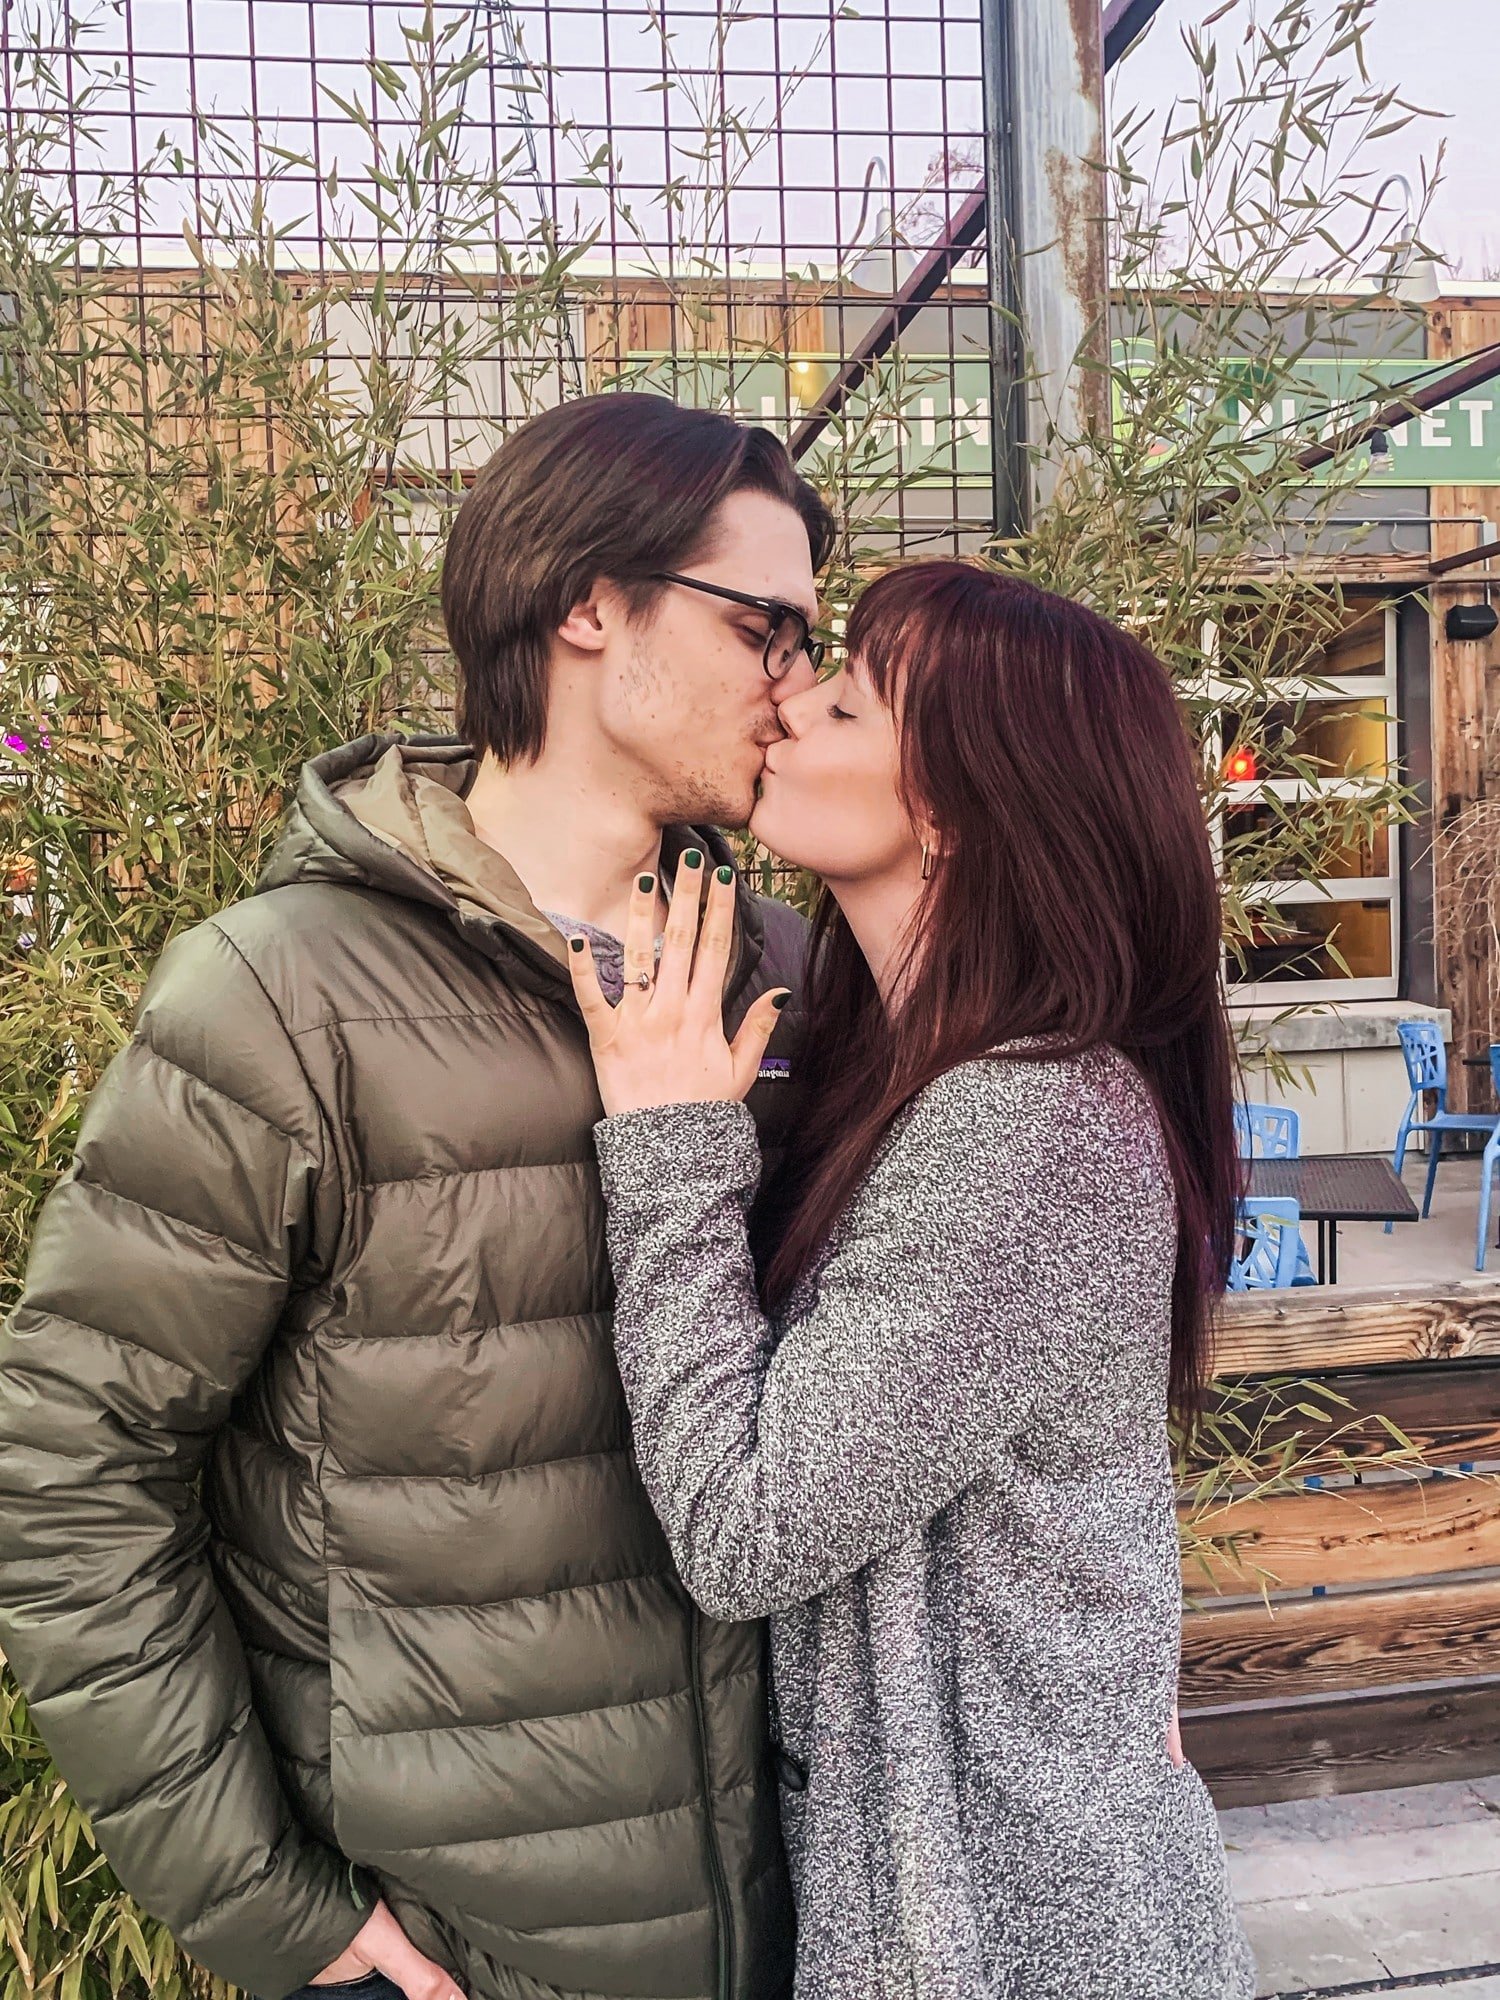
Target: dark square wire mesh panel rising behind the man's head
x=287, y=273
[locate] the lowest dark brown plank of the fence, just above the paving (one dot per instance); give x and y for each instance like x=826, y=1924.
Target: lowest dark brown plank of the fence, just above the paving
x=1251, y=1755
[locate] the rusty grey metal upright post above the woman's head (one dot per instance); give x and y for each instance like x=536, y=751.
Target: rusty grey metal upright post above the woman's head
x=1057, y=215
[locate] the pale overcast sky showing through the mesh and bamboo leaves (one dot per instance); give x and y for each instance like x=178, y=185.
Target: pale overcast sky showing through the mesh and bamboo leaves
x=895, y=83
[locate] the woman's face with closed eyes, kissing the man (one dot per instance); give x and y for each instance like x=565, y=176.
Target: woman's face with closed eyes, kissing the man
x=831, y=789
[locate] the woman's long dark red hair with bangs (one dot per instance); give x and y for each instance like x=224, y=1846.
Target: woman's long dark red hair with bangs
x=1073, y=897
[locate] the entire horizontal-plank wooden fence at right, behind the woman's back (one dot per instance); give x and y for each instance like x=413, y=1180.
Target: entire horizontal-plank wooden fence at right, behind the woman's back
x=1373, y=1657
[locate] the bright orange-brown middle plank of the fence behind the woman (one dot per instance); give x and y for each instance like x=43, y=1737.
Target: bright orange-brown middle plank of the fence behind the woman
x=1363, y=1535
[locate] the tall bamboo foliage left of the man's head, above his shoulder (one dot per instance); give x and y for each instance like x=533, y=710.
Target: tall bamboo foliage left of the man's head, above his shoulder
x=219, y=545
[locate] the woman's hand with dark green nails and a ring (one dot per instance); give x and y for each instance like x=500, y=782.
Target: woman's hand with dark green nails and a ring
x=665, y=1043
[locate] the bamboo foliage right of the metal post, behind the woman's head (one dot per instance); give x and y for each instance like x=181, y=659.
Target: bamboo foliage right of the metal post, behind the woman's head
x=1189, y=515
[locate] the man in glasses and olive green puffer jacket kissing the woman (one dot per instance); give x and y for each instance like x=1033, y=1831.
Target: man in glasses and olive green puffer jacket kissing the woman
x=409, y=1687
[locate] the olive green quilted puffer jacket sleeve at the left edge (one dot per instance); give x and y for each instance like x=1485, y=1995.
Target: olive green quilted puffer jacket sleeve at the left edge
x=157, y=1279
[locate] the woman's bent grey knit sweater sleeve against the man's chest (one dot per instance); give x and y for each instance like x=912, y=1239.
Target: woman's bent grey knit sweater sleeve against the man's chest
x=783, y=1467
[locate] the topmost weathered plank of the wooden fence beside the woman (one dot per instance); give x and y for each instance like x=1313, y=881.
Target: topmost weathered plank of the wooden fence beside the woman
x=1319, y=1327
